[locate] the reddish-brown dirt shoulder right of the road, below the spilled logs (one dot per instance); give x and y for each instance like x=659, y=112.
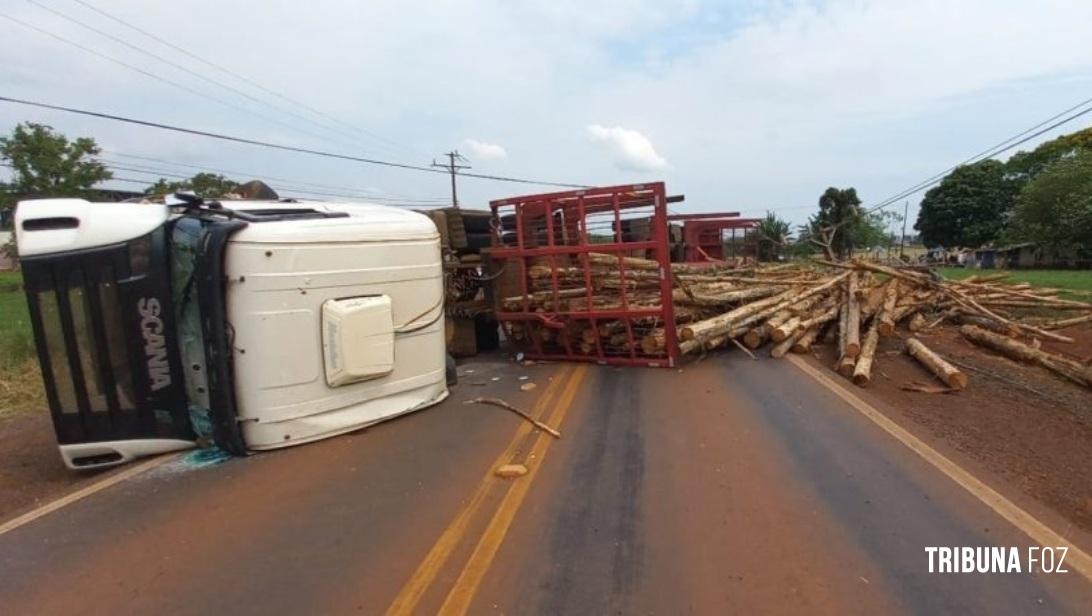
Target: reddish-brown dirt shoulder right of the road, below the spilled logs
x=1024, y=423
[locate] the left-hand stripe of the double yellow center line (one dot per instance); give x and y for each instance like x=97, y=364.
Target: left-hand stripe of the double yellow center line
x=408, y=599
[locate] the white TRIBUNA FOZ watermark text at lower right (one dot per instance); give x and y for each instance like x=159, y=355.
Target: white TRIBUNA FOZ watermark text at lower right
x=992, y=560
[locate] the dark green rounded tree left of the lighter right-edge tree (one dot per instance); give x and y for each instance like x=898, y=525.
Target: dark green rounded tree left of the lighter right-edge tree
x=969, y=208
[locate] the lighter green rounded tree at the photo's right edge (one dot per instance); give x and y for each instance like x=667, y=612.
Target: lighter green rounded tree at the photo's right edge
x=1055, y=208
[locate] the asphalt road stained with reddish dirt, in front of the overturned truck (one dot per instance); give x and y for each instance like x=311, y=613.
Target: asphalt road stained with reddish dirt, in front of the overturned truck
x=733, y=487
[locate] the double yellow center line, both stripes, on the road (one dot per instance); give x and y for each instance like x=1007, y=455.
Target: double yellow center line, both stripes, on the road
x=552, y=407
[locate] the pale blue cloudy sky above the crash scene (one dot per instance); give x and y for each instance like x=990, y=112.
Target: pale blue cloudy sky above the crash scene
x=741, y=106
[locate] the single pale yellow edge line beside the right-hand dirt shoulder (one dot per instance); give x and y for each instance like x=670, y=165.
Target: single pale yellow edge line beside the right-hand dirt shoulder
x=1023, y=520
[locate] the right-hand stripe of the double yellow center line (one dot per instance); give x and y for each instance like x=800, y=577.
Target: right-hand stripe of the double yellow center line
x=462, y=594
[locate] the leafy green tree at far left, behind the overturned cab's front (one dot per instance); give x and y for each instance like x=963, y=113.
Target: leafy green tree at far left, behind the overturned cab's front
x=46, y=164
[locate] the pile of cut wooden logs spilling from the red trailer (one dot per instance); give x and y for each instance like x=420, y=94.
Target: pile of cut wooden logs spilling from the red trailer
x=791, y=309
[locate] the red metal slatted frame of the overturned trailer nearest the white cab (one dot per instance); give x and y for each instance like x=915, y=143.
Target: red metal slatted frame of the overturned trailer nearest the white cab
x=560, y=231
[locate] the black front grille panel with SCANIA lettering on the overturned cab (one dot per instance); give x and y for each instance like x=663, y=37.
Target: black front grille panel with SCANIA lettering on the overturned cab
x=103, y=323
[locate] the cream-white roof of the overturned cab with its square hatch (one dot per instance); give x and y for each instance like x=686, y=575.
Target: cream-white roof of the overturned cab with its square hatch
x=298, y=268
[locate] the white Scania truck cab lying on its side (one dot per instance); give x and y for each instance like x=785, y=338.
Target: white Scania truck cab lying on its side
x=245, y=325
